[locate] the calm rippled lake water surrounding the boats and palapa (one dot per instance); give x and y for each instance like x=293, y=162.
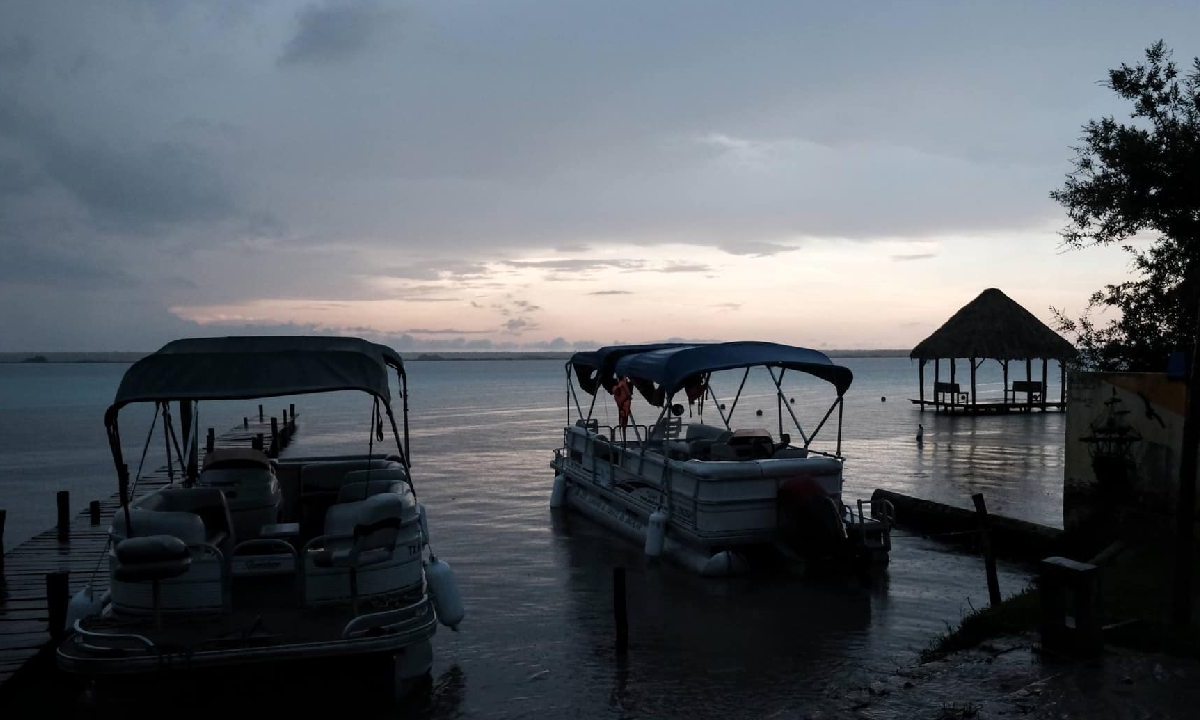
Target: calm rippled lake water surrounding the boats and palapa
x=538, y=639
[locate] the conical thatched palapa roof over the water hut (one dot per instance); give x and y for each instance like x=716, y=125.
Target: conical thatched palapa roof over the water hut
x=994, y=326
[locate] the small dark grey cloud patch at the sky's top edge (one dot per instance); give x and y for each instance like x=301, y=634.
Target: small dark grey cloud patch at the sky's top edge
x=331, y=33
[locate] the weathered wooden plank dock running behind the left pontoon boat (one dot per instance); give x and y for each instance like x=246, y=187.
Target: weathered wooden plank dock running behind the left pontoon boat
x=39, y=577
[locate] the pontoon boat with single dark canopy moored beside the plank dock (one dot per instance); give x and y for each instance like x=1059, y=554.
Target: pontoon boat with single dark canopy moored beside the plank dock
x=259, y=561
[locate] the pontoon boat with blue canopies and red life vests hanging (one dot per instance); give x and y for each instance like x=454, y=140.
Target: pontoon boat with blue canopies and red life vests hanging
x=711, y=497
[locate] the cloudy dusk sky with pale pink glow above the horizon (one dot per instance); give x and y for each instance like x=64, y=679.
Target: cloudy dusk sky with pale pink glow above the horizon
x=547, y=176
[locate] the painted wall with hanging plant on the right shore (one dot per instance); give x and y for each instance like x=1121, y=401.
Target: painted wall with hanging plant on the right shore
x=1123, y=448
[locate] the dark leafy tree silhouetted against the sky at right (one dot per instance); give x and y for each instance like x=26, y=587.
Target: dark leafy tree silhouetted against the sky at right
x=1135, y=178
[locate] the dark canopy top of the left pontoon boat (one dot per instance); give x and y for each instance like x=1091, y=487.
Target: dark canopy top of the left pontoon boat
x=259, y=367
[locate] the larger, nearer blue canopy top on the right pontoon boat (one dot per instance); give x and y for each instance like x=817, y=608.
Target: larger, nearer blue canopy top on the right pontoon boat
x=673, y=368
